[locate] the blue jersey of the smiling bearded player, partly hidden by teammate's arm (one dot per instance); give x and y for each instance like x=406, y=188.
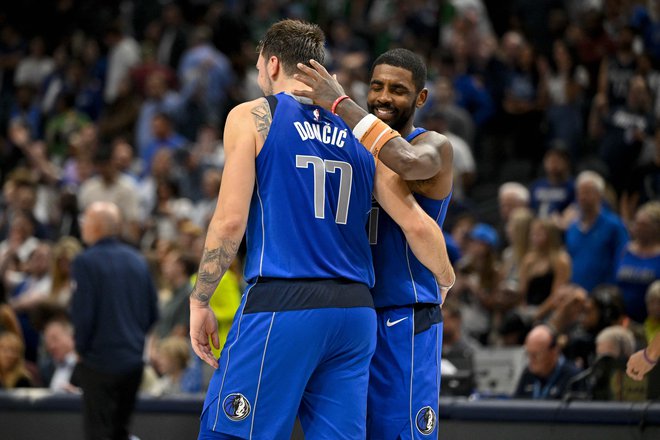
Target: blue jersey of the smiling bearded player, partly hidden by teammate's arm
x=400, y=278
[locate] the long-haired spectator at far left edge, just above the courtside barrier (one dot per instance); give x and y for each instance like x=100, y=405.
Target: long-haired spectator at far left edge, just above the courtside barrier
x=13, y=372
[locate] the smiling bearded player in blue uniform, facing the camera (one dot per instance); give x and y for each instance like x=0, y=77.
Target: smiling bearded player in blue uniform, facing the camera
x=404, y=384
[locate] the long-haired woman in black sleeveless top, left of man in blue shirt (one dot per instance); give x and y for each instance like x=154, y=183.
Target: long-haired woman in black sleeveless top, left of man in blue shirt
x=544, y=269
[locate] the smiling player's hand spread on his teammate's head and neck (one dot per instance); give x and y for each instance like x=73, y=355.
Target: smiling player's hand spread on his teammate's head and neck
x=325, y=88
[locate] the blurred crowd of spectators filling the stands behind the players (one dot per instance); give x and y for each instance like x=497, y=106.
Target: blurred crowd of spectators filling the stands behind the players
x=551, y=107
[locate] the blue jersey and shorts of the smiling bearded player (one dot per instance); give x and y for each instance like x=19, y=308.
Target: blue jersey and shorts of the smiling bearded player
x=404, y=384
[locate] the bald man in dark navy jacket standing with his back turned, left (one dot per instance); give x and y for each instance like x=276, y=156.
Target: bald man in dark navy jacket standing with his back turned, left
x=114, y=305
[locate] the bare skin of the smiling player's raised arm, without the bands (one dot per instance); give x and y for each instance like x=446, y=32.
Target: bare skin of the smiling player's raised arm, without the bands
x=420, y=162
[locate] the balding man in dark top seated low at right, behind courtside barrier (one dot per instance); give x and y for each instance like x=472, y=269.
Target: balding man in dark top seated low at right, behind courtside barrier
x=547, y=373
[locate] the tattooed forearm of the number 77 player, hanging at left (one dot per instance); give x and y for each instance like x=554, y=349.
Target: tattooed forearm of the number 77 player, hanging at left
x=213, y=266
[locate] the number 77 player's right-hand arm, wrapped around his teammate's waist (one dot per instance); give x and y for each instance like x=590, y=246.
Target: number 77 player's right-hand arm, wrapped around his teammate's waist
x=422, y=233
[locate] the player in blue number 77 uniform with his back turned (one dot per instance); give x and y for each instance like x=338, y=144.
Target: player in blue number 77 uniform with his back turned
x=298, y=184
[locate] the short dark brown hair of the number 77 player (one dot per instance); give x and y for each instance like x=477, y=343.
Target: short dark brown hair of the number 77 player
x=293, y=42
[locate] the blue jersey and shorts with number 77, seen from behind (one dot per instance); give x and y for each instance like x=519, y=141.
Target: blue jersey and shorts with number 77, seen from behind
x=304, y=334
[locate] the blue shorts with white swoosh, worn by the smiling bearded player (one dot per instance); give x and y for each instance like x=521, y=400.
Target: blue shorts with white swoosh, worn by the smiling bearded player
x=404, y=383
